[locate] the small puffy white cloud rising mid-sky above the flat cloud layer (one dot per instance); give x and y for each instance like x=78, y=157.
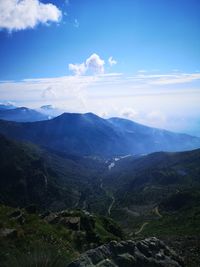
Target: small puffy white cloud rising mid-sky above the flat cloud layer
x=93, y=65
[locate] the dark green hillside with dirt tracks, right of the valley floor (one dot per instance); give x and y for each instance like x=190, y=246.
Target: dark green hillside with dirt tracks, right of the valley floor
x=157, y=194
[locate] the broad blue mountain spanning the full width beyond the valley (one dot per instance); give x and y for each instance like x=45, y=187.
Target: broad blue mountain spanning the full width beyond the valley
x=88, y=134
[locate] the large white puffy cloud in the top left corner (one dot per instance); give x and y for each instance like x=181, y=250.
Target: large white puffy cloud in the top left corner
x=18, y=15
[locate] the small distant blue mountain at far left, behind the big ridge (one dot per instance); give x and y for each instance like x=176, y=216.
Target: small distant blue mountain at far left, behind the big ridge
x=22, y=114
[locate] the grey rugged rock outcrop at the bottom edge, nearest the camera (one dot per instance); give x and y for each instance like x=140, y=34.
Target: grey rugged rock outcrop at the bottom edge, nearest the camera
x=150, y=252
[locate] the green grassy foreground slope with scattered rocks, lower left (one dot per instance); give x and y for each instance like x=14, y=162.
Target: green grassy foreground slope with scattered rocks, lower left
x=49, y=238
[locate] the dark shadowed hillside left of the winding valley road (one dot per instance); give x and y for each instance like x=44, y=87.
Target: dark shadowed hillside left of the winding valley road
x=30, y=175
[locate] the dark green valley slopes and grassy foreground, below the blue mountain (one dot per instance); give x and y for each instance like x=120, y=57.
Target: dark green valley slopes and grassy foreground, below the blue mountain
x=153, y=195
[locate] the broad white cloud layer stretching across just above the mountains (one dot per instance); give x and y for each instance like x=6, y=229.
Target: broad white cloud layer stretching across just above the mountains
x=155, y=105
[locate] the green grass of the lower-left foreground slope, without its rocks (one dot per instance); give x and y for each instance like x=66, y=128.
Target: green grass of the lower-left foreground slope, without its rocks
x=37, y=235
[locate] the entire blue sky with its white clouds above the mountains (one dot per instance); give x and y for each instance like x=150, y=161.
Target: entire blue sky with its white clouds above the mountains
x=137, y=59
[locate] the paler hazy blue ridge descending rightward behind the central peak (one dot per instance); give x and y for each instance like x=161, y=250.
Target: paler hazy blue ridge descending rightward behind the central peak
x=146, y=139
